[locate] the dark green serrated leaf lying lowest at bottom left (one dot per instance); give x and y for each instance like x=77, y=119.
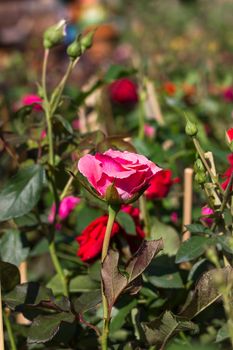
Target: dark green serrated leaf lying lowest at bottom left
x=44, y=328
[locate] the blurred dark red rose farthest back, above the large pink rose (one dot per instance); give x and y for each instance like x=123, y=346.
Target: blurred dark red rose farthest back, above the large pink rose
x=123, y=91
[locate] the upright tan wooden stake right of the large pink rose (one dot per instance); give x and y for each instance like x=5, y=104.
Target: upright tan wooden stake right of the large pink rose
x=187, y=202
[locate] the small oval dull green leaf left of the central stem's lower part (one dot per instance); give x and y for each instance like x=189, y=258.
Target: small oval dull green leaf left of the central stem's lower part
x=87, y=301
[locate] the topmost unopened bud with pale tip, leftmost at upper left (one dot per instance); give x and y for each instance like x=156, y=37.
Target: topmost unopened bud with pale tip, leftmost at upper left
x=54, y=34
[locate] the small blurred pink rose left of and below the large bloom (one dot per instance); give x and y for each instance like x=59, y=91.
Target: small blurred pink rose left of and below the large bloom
x=66, y=206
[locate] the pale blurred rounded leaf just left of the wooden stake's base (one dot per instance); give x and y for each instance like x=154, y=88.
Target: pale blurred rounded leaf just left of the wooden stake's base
x=169, y=236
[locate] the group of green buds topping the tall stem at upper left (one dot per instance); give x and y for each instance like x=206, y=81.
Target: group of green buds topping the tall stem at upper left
x=54, y=36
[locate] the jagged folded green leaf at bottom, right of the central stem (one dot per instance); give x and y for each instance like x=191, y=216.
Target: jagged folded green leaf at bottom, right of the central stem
x=161, y=329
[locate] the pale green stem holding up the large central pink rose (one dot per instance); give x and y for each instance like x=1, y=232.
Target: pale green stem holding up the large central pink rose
x=106, y=317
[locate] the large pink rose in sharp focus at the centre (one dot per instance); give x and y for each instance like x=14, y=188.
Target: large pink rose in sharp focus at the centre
x=129, y=172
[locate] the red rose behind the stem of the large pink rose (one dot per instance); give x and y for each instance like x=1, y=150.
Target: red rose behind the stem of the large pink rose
x=91, y=239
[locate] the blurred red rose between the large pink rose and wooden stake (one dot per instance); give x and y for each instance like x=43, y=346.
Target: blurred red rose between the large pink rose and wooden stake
x=160, y=184
